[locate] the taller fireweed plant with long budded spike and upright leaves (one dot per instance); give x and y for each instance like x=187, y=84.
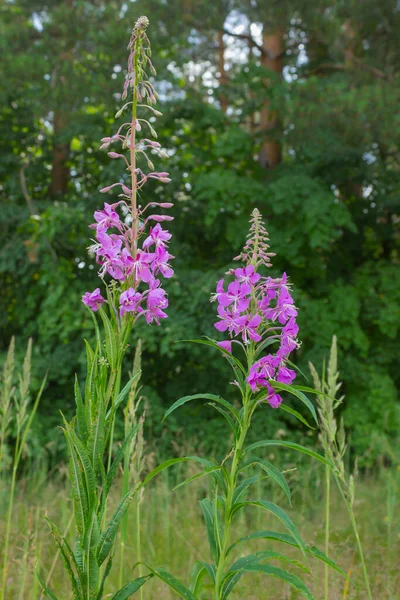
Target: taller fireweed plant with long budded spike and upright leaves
x=130, y=245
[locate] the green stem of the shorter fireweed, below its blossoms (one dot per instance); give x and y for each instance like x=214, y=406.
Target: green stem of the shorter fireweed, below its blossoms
x=229, y=501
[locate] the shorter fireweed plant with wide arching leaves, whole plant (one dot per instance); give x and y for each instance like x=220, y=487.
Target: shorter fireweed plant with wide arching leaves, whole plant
x=258, y=315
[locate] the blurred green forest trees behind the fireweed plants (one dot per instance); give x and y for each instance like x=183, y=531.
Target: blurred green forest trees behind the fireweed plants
x=290, y=106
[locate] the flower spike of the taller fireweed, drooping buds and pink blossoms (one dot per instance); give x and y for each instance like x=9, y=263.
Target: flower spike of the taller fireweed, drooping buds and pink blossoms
x=116, y=246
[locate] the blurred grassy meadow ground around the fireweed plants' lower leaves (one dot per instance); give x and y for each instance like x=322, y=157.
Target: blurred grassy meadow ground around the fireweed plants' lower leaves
x=173, y=536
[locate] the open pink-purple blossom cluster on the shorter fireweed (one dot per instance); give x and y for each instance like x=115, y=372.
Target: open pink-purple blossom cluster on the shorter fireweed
x=254, y=308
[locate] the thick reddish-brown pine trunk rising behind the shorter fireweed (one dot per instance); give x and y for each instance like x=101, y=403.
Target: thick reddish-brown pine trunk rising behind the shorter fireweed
x=270, y=153
